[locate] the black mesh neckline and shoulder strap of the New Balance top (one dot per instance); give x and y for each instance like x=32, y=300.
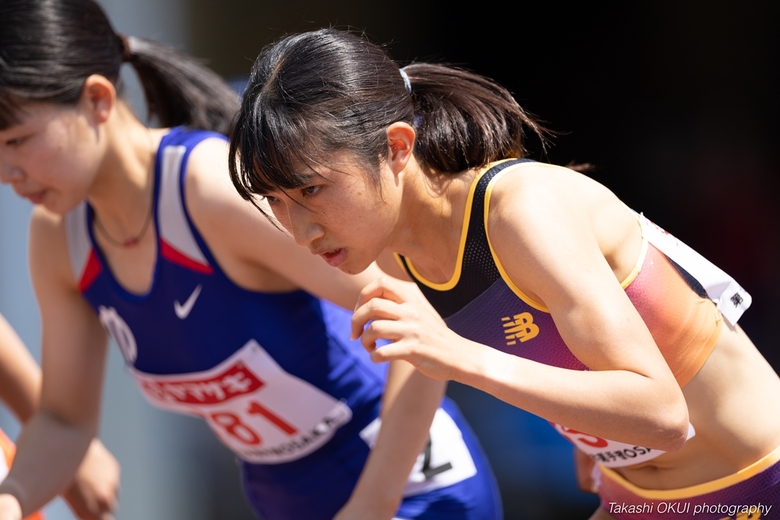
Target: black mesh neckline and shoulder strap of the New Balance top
x=478, y=270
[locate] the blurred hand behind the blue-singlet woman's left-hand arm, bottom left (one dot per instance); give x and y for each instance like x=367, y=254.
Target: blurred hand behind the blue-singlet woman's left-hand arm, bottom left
x=93, y=493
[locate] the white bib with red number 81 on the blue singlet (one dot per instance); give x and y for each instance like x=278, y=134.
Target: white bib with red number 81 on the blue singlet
x=262, y=413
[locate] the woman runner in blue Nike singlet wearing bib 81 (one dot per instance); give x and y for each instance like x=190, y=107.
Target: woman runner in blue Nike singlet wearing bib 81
x=138, y=231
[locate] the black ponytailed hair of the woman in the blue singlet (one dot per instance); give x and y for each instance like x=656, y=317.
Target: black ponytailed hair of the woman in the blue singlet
x=48, y=48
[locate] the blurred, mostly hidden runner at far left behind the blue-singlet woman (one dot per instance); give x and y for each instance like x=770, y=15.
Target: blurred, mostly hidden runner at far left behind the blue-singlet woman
x=96, y=481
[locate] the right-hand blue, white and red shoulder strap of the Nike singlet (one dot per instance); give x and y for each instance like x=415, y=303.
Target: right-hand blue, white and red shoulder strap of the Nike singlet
x=179, y=242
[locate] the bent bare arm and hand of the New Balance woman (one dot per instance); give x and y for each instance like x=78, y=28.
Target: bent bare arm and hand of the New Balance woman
x=548, y=248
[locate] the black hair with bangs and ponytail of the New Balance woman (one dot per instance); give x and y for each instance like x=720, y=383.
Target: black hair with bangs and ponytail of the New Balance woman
x=316, y=93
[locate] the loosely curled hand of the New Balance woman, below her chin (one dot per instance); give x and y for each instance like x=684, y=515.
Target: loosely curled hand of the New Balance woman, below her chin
x=396, y=311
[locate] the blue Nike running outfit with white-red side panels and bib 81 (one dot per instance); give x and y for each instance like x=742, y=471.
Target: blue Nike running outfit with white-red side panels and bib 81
x=273, y=374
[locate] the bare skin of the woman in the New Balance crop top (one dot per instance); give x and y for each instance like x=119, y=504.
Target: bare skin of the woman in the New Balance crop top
x=629, y=395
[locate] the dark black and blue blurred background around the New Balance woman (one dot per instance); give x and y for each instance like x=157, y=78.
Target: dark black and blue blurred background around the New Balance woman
x=674, y=103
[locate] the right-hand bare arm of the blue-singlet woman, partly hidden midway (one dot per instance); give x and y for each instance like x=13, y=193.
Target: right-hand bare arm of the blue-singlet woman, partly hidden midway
x=247, y=244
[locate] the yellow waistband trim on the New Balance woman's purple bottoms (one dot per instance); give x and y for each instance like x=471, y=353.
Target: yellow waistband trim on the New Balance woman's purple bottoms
x=699, y=489
